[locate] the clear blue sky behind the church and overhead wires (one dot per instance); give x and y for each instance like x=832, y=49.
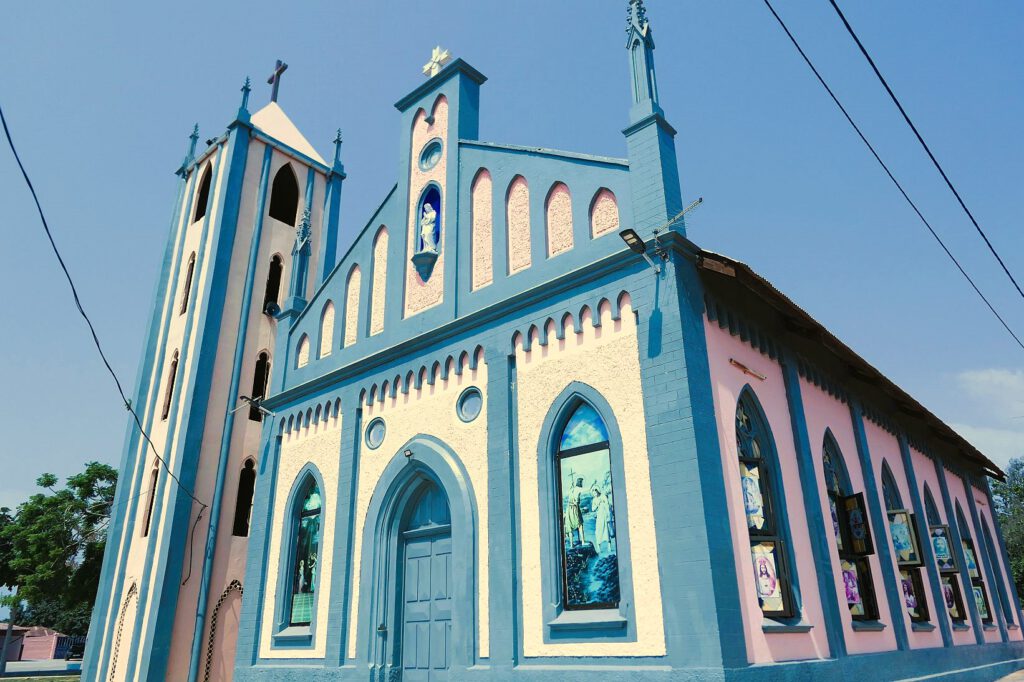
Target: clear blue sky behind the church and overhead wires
x=102, y=98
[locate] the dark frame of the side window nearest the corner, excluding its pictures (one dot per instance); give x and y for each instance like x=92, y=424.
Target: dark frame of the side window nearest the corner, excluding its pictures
x=775, y=532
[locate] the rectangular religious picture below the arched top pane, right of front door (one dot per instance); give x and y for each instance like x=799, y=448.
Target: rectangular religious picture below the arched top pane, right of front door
x=591, y=563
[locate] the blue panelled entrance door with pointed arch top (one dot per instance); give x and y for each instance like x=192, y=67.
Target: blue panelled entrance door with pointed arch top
x=428, y=592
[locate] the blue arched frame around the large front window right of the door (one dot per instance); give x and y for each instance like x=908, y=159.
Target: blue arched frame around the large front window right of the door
x=582, y=625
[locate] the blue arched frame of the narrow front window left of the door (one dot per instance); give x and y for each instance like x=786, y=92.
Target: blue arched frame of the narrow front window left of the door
x=300, y=633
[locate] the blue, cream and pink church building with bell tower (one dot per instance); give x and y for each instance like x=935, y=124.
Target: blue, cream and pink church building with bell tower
x=522, y=429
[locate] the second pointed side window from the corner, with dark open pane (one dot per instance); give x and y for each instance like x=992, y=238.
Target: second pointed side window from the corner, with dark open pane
x=854, y=534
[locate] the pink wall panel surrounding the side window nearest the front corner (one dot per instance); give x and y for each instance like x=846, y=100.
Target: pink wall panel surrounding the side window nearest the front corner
x=728, y=382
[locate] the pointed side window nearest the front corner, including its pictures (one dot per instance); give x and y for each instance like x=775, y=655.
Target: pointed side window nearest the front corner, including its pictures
x=758, y=468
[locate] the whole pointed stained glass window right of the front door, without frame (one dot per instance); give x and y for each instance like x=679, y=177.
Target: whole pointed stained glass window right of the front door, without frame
x=590, y=556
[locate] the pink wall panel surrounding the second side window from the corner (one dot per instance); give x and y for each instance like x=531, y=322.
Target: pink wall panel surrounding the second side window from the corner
x=825, y=412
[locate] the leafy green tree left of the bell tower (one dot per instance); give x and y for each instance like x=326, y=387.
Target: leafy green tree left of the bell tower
x=53, y=547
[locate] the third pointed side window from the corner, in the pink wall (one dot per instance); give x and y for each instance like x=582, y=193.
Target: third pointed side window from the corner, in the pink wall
x=907, y=545
